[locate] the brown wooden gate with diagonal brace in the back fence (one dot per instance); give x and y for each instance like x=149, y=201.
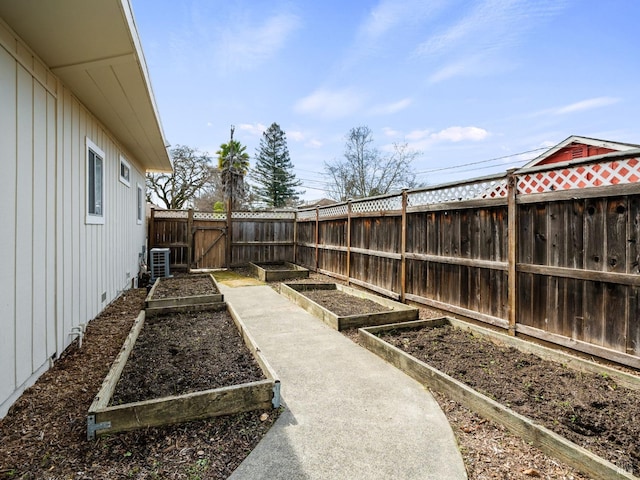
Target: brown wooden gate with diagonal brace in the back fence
x=209, y=243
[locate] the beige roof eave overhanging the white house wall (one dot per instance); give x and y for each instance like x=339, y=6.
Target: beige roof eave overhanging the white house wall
x=106, y=72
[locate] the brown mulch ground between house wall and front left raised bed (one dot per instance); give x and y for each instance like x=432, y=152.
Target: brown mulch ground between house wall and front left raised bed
x=44, y=433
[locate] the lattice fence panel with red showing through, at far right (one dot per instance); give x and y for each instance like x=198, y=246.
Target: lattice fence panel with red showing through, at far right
x=581, y=176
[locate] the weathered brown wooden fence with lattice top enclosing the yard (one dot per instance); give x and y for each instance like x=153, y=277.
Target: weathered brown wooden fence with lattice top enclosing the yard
x=551, y=252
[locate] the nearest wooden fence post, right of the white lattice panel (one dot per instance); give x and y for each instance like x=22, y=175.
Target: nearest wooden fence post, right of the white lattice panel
x=512, y=229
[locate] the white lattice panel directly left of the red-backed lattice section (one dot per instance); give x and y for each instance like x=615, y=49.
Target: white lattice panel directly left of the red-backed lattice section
x=492, y=188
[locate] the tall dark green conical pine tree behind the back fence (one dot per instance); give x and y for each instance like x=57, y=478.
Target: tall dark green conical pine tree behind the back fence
x=273, y=172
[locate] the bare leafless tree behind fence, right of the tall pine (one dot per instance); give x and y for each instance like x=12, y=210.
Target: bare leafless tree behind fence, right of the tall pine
x=365, y=172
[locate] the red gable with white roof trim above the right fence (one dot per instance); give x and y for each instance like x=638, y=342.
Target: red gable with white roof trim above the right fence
x=576, y=148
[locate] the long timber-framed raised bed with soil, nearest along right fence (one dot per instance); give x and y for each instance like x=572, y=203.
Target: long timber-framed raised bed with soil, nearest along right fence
x=581, y=412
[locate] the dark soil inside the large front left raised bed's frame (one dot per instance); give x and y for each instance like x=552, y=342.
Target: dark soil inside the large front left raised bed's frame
x=183, y=353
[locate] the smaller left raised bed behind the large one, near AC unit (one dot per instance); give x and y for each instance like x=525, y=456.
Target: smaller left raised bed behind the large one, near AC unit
x=183, y=293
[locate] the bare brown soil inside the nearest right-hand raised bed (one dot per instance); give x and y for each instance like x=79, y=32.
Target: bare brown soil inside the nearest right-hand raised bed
x=591, y=410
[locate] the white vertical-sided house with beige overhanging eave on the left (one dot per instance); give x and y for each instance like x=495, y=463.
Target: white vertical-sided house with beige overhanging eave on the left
x=78, y=130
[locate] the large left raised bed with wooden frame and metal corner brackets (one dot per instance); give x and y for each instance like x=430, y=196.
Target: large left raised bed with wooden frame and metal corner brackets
x=132, y=406
